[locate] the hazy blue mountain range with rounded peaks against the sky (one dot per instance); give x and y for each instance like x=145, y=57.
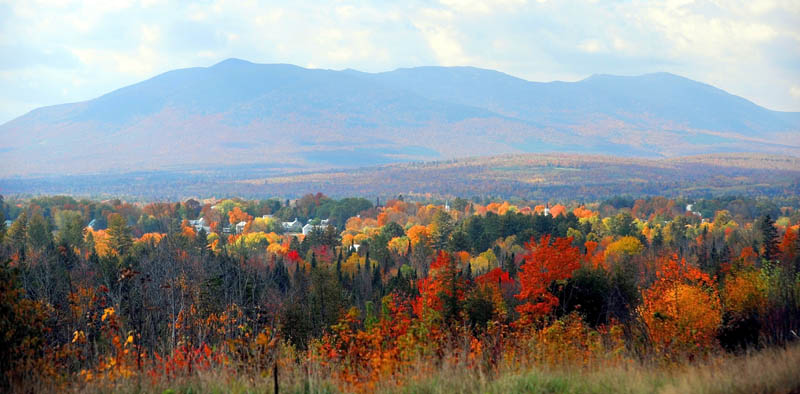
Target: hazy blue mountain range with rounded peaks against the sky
x=237, y=112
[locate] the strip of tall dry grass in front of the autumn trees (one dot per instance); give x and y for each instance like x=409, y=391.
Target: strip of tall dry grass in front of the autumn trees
x=774, y=370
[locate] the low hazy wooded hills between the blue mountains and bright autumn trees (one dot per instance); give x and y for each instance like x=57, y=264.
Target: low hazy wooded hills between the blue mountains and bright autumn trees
x=529, y=176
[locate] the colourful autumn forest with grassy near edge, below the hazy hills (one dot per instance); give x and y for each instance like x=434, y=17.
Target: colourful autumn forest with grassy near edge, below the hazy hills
x=404, y=295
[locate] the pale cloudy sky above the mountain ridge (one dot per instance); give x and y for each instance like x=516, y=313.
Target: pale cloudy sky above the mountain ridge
x=56, y=51
